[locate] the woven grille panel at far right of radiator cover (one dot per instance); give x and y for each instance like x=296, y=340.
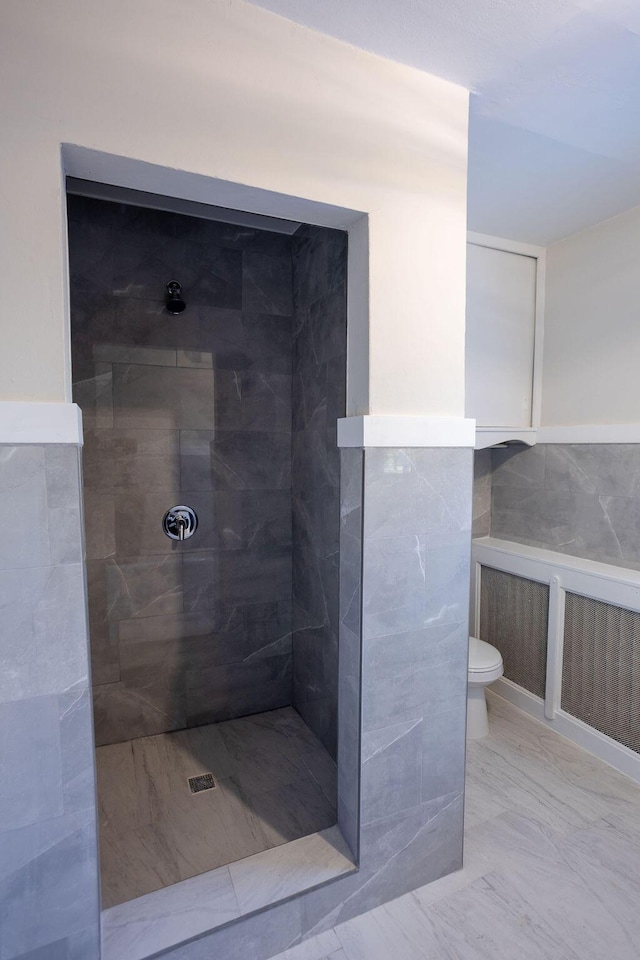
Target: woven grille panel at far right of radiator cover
x=601, y=668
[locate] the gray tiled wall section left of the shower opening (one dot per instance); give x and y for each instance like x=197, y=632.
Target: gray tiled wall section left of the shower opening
x=49, y=903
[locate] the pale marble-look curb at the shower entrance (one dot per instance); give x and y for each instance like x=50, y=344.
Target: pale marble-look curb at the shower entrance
x=148, y=926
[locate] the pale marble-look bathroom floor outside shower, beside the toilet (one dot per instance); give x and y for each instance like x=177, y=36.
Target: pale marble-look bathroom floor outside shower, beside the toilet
x=551, y=862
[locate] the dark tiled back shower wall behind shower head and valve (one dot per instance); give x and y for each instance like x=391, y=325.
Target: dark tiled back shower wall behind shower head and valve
x=193, y=409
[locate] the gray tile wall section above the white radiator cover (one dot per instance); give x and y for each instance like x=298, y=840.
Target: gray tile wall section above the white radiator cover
x=579, y=499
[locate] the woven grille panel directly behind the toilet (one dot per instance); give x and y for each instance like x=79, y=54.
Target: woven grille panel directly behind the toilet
x=514, y=614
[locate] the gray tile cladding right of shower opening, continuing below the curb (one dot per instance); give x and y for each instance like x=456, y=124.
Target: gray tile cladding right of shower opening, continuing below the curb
x=416, y=539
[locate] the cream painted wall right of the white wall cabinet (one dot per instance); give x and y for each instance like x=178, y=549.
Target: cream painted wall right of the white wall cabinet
x=592, y=326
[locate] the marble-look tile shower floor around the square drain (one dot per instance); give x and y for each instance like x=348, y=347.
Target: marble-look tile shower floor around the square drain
x=275, y=782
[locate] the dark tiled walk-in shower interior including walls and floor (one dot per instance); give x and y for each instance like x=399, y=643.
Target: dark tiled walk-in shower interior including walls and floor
x=209, y=361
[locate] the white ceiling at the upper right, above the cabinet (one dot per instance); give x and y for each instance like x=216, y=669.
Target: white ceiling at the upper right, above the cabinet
x=554, y=142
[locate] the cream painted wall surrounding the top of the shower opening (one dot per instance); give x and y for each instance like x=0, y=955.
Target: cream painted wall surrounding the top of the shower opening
x=222, y=89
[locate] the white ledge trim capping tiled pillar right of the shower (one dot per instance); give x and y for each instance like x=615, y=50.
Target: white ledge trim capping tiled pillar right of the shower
x=399, y=431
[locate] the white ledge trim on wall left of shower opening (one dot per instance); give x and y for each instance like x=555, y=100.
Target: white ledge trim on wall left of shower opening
x=23, y=422
